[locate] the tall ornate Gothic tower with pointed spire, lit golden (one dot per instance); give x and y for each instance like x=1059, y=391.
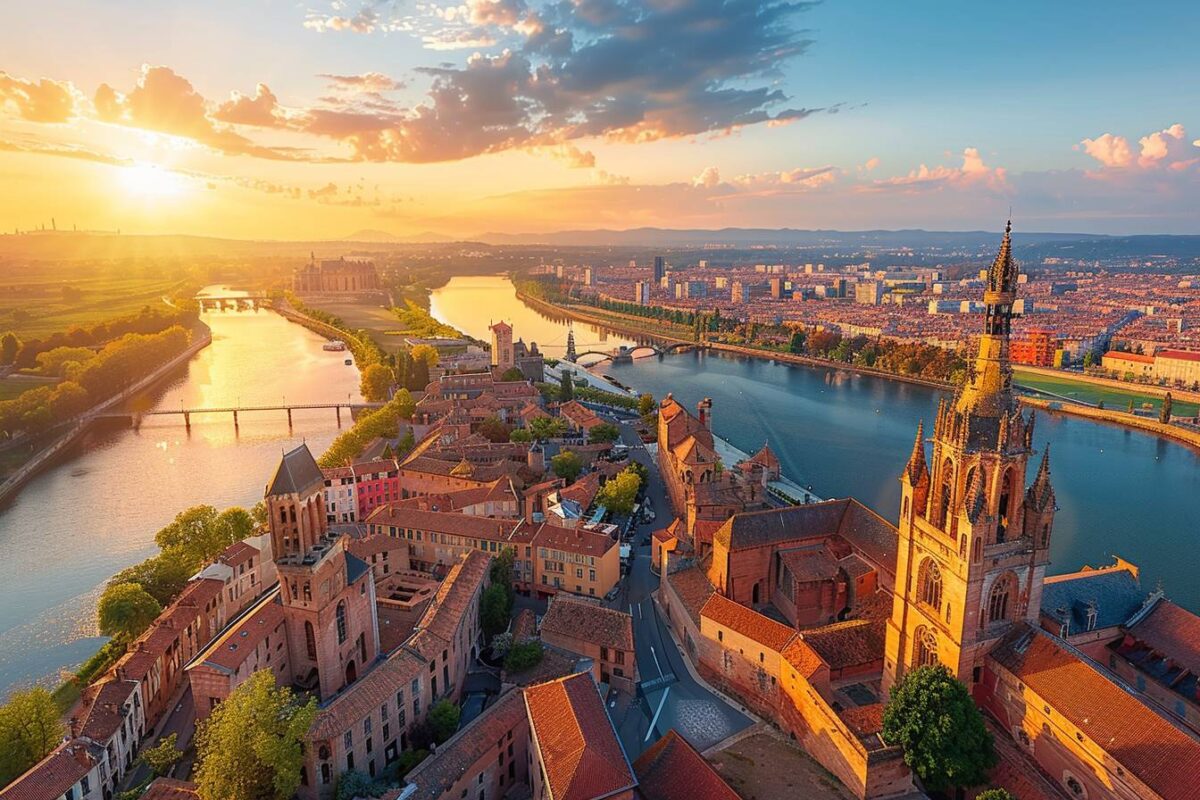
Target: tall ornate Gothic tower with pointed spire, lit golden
x=974, y=545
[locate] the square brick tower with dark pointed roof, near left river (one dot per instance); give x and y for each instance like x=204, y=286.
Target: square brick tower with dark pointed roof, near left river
x=328, y=593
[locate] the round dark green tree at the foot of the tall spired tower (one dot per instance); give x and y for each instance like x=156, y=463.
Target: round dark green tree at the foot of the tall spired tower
x=933, y=718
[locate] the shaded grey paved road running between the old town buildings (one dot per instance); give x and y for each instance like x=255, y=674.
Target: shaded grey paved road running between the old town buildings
x=703, y=718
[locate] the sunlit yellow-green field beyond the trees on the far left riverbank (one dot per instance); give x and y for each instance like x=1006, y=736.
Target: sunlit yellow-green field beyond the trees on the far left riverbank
x=44, y=308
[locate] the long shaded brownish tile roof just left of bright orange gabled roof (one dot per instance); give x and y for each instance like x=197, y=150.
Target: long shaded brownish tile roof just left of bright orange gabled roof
x=436, y=775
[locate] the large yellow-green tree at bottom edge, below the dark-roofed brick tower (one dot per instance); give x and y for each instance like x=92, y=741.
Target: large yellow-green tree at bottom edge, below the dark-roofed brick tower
x=251, y=748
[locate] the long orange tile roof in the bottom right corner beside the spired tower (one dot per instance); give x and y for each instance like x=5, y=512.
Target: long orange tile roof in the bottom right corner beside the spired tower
x=1161, y=755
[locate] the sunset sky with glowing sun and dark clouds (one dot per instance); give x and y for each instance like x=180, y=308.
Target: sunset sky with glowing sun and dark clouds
x=299, y=121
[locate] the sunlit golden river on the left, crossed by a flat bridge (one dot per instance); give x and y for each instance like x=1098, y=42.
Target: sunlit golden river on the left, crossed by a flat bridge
x=97, y=512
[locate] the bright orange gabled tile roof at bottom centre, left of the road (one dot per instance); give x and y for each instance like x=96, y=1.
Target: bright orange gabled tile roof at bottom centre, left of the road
x=579, y=748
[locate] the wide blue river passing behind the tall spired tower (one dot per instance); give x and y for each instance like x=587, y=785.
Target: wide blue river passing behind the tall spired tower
x=1120, y=492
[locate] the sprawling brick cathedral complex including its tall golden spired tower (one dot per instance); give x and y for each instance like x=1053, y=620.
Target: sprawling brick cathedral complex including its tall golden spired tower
x=811, y=615
